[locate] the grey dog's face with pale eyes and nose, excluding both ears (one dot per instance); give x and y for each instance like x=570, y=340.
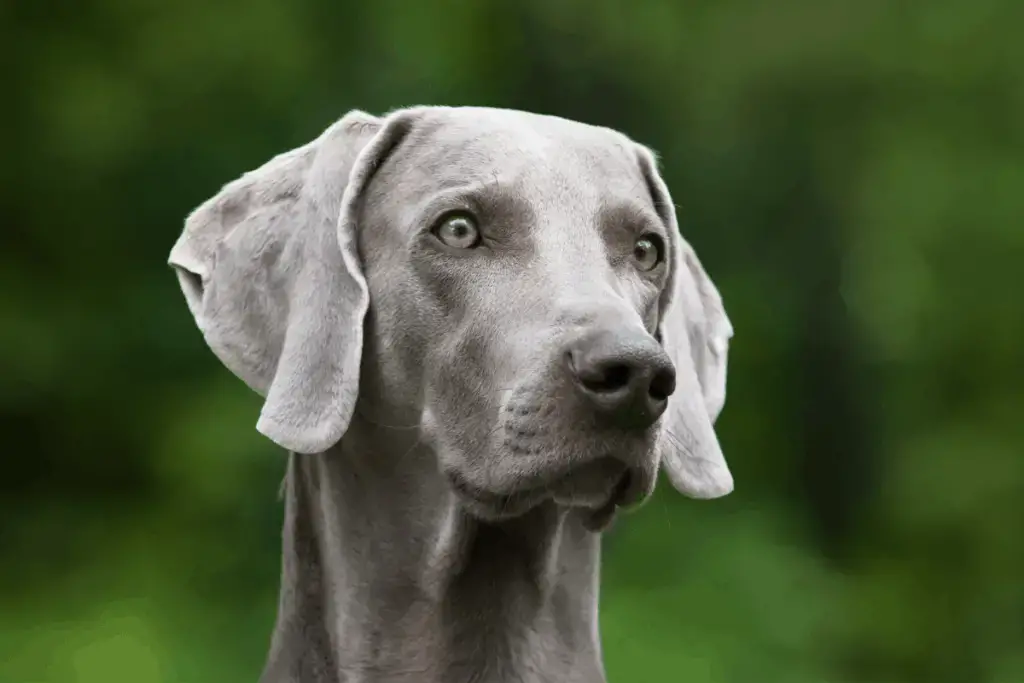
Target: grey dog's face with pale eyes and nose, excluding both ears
x=516, y=268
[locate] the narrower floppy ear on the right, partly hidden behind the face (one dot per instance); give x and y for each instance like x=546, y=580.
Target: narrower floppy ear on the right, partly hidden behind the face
x=696, y=332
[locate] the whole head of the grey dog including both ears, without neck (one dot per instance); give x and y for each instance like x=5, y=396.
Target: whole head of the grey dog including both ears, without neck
x=516, y=281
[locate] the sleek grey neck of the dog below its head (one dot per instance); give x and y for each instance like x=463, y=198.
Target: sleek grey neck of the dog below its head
x=387, y=579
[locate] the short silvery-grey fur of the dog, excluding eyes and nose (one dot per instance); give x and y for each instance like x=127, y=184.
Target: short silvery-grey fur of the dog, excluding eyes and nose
x=445, y=487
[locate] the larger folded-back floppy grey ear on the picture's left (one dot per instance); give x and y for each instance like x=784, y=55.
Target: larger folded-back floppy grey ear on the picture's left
x=271, y=272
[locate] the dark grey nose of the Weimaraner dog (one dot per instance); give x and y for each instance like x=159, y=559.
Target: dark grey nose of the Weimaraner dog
x=625, y=376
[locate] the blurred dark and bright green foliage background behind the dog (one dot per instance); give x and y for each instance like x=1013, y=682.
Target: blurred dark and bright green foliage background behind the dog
x=851, y=174
